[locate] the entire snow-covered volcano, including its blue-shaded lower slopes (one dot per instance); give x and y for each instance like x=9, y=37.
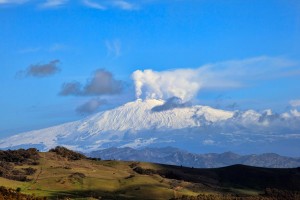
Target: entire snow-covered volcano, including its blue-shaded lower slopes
x=149, y=123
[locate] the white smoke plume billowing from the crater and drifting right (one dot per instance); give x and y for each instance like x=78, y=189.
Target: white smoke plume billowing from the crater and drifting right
x=186, y=83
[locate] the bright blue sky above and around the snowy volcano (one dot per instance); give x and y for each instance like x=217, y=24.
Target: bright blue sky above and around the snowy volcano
x=120, y=37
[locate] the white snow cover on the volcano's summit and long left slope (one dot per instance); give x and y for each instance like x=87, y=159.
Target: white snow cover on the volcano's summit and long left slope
x=110, y=126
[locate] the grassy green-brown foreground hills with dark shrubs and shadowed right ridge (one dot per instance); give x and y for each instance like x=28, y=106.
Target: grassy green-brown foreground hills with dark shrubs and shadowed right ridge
x=60, y=176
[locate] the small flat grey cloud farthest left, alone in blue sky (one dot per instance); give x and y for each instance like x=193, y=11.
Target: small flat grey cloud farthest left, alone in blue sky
x=40, y=70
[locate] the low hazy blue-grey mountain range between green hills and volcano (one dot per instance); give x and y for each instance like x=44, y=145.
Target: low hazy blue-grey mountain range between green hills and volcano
x=174, y=156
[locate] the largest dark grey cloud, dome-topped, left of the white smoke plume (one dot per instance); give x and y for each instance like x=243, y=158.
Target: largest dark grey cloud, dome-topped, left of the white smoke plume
x=101, y=83
